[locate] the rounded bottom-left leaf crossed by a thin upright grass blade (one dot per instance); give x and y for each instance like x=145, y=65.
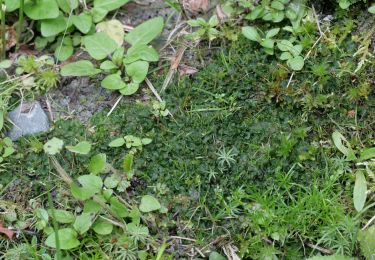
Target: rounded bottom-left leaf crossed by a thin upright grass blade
x=67, y=238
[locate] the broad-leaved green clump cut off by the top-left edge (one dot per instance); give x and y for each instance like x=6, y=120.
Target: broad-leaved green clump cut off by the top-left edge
x=62, y=17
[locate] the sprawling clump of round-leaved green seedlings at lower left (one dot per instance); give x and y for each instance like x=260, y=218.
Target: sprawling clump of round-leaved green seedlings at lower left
x=102, y=212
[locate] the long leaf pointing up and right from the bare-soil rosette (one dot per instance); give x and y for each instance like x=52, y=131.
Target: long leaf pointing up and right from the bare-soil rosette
x=145, y=32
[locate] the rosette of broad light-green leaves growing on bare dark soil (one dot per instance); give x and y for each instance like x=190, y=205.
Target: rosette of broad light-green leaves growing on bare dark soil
x=125, y=72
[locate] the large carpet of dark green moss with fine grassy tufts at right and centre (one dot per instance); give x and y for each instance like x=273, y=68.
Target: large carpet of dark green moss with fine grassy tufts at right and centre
x=244, y=159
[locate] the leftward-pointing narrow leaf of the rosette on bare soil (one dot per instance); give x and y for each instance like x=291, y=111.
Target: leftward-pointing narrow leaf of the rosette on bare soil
x=79, y=69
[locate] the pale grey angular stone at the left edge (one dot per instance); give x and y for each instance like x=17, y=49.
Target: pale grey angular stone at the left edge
x=28, y=118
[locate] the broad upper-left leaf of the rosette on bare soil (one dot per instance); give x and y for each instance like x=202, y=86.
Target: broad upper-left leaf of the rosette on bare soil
x=99, y=45
